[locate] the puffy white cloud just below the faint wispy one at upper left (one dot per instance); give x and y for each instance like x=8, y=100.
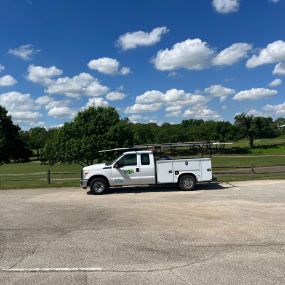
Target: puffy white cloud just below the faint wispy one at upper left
x=43, y=75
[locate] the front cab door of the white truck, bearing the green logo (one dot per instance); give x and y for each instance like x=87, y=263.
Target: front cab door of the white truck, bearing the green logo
x=128, y=172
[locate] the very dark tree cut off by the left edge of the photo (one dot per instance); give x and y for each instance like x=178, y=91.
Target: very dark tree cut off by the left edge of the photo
x=12, y=146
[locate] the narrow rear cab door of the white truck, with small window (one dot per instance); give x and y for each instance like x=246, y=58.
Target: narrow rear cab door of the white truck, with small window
x=147, y=168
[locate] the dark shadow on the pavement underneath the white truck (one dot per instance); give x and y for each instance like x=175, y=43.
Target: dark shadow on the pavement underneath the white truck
x=214, y=186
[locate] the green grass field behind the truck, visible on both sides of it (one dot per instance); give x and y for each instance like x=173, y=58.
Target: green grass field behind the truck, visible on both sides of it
x=270, y=152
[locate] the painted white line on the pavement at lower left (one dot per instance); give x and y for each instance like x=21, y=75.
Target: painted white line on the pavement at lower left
x=55, y=269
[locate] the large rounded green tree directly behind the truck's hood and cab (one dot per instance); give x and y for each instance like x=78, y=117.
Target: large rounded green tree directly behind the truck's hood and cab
x=91, y=131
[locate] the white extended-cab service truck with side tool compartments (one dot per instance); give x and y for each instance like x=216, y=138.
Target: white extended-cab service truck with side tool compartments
x=141, y=168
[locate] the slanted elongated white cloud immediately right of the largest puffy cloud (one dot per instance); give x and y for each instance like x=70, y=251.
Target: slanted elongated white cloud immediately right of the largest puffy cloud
x=232, y=54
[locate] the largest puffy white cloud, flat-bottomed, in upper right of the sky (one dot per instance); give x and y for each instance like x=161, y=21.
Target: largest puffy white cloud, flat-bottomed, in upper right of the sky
x=192, y=54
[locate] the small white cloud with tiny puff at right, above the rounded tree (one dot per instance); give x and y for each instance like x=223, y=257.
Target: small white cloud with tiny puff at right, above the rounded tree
x=108, y=65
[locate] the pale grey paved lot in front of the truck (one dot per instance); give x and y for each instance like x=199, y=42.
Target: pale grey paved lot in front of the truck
x=219, y=234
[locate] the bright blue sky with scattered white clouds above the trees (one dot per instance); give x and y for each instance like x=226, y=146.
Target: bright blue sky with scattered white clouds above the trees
x=155, y=61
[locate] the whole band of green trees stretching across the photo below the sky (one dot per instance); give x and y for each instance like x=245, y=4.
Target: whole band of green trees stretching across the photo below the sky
x=94, y=129
